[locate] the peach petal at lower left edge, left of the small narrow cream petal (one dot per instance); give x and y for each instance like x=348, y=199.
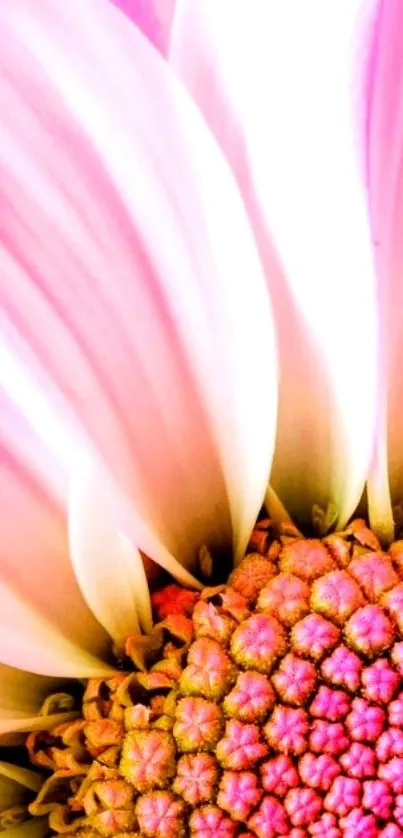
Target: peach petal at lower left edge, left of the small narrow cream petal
x=36, y=577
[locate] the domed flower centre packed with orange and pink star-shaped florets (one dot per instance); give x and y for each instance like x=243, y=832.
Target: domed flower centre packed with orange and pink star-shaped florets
x=269, y=706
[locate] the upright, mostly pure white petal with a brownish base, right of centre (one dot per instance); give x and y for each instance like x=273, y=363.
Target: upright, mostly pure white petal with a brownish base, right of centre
x=275, y=86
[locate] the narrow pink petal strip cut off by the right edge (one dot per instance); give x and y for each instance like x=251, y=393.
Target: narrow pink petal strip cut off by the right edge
x=384, y=169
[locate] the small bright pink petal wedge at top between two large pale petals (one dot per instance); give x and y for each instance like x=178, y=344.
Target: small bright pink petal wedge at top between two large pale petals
x=153, y=17
